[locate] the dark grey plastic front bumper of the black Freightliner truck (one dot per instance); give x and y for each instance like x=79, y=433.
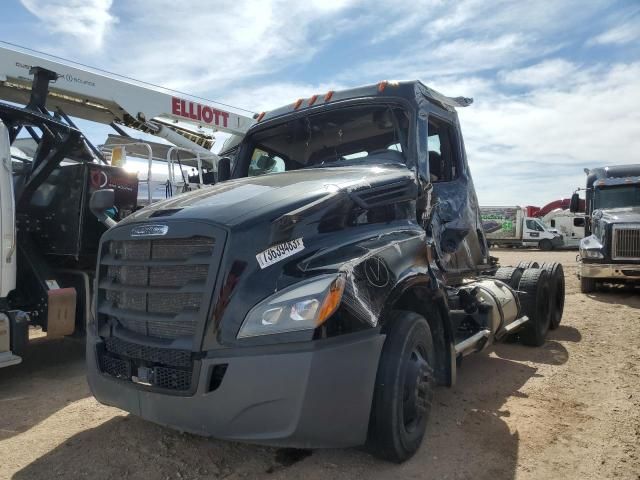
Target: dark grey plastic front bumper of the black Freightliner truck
x=313, y=396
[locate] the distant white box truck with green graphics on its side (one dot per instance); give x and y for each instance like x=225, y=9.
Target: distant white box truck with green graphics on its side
x=510, y=226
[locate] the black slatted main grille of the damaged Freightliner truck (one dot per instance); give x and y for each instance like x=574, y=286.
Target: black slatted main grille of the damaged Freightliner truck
x=156, y=287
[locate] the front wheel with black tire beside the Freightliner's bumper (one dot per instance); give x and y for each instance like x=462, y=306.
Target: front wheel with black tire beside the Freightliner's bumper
x=404, y=388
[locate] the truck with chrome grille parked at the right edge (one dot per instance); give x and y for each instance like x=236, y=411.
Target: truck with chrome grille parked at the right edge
x=610, y=250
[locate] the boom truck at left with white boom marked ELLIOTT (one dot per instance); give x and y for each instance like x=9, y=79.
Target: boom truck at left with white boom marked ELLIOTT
x=48, y=234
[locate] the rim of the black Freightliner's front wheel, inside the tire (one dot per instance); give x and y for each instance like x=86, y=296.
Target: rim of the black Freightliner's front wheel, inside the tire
x=415, y=389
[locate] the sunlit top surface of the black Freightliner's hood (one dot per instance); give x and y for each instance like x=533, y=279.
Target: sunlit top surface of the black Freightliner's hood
x=239, y=200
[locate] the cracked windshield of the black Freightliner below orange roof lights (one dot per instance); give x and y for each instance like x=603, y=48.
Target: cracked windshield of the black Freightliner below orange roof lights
x=354, y=135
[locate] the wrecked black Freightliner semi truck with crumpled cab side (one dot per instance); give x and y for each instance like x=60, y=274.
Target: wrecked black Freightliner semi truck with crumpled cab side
x=317, y=296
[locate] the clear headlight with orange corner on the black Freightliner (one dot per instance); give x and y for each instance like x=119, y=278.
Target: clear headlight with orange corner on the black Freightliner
x=303, y=306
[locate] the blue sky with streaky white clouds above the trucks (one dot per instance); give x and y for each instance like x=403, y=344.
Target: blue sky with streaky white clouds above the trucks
x=556, y=83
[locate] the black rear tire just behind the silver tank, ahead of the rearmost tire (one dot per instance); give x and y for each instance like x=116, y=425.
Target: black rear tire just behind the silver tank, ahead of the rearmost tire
x=534, y=295
